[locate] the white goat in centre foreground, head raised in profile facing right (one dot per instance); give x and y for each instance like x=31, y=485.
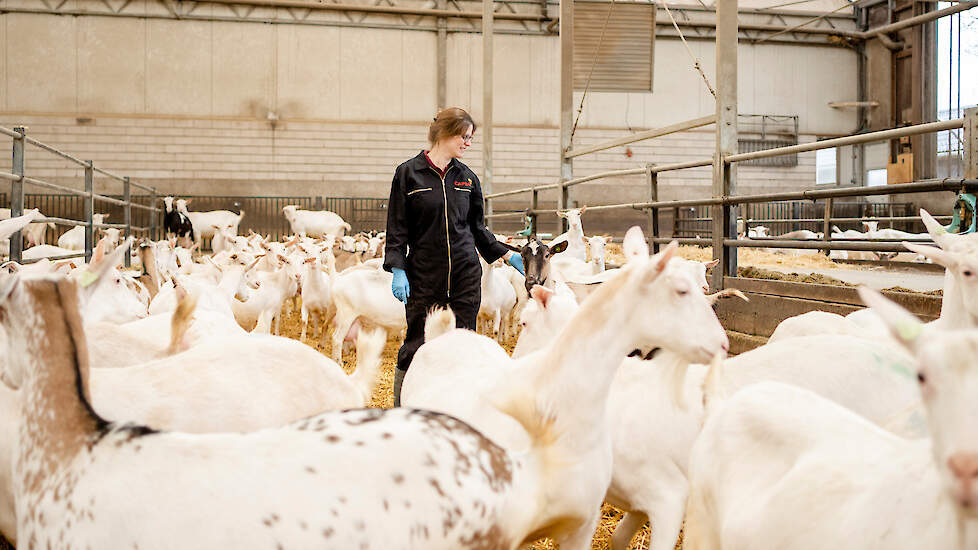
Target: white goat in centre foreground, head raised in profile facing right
x=566, y=384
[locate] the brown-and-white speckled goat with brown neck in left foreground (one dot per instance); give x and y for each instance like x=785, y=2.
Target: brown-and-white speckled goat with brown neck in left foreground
x=297, y=486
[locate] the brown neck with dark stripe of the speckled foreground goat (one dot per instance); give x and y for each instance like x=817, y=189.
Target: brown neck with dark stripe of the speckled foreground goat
x=49, y=354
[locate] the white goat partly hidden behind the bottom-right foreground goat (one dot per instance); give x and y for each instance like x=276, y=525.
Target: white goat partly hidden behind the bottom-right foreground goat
x=650, y=470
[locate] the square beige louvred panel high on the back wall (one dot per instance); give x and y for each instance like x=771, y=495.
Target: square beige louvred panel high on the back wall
x=624, y=61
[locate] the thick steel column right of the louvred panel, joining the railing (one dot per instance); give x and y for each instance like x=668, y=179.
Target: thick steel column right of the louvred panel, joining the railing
x=725, y=175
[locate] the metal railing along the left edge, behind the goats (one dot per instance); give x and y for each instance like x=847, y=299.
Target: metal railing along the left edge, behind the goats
x=18, y=179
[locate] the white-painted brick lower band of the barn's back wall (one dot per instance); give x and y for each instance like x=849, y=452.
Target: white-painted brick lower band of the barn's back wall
x=237, y=156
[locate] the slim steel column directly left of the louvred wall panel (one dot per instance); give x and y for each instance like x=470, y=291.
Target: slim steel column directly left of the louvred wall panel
x=566, y=101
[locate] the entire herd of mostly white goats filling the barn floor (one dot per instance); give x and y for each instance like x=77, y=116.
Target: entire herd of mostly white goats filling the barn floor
x=158, y=408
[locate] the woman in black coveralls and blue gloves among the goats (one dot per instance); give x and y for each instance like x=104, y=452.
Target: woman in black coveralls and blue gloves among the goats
x=435, y=225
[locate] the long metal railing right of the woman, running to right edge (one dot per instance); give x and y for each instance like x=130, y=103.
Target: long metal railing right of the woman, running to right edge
x=726, y=205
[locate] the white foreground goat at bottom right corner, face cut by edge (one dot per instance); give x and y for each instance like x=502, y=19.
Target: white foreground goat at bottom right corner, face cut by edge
x=775, y=457
